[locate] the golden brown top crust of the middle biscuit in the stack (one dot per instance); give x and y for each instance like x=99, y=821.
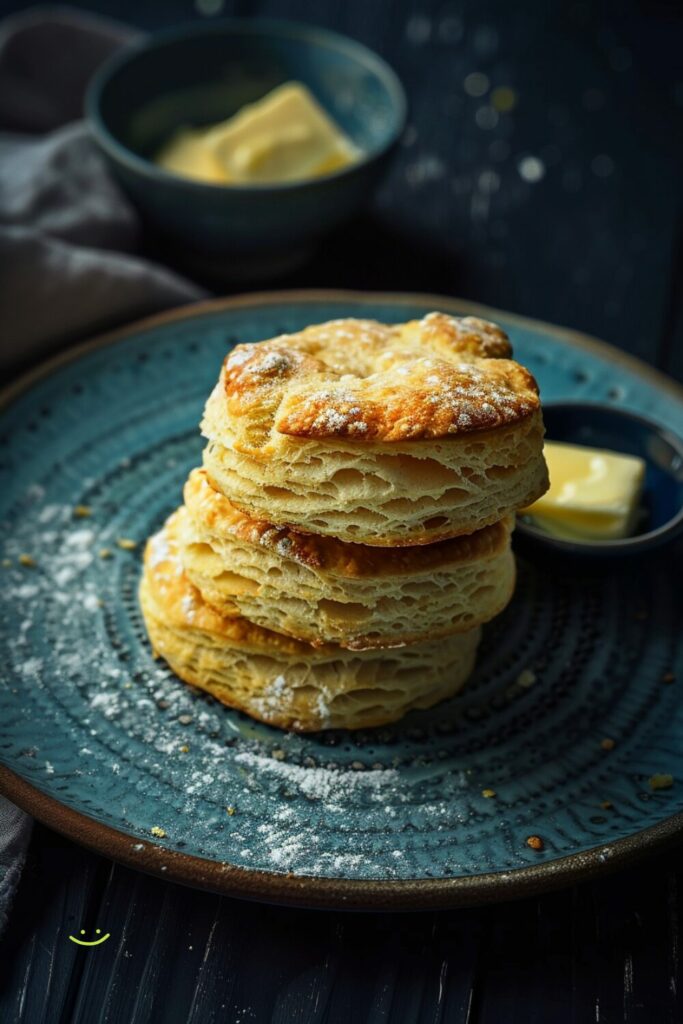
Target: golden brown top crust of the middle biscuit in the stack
x=220, y=517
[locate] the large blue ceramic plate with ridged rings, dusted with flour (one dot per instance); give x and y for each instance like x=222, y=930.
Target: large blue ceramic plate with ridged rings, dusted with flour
x=105, y=744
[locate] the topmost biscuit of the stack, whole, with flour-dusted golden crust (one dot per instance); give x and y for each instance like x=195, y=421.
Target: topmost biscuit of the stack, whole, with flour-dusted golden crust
x=382, y=436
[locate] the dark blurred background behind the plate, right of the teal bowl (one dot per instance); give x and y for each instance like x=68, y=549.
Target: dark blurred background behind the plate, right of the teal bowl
x=595, y=243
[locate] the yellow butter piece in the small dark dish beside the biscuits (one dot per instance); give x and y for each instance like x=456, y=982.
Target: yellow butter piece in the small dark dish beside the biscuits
x=594, y=494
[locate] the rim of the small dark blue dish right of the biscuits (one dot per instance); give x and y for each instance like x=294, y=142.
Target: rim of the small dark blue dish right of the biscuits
x=624, y=544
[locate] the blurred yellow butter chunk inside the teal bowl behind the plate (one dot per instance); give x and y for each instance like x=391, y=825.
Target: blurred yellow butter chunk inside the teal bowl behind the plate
x=286, y=137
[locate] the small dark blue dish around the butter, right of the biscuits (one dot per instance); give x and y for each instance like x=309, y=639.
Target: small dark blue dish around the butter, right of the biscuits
x=661, y=516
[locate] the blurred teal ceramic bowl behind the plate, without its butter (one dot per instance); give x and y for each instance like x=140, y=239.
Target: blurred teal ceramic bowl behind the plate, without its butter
x=202, y=75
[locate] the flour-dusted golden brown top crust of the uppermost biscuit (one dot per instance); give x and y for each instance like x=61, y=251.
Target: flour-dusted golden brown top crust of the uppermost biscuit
x=434, y=378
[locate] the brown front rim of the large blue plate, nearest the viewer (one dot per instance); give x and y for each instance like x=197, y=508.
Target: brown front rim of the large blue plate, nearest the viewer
x=317, y=892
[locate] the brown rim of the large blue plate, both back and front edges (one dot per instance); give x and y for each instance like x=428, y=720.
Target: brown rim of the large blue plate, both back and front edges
x=316, y=891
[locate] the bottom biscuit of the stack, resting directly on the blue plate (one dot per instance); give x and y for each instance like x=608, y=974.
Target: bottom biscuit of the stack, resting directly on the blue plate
x=282, y=681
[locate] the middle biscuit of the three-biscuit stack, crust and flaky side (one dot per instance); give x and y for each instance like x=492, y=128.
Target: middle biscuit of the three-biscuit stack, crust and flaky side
x=323, y=590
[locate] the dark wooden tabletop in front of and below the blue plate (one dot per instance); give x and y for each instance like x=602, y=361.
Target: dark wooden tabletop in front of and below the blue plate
x=602, y=952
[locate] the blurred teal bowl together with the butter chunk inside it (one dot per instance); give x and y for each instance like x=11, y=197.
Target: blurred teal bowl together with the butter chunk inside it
x=243, y=142
